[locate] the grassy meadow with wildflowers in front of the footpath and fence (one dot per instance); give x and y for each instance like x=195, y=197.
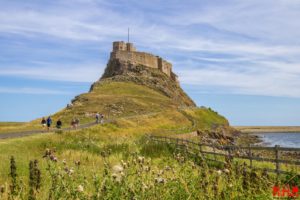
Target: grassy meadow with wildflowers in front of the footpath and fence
x=124, y=140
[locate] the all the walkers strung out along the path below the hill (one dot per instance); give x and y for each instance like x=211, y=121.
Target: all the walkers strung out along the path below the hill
x=46, y=123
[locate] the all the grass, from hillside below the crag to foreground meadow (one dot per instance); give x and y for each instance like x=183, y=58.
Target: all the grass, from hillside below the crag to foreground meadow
x=137, y=110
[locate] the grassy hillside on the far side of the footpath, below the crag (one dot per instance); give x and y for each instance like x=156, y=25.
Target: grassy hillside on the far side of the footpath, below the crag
x=114, y=100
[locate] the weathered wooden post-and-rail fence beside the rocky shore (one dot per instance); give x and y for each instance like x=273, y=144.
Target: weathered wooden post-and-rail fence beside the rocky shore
x=251, y=153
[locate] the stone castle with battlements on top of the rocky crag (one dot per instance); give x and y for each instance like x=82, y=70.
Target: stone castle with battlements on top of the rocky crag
x=128, y=53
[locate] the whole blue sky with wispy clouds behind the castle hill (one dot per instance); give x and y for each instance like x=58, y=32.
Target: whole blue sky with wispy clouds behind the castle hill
x=242, y=58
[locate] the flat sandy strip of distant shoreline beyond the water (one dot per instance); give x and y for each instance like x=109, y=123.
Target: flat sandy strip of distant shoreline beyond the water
x=268, y=129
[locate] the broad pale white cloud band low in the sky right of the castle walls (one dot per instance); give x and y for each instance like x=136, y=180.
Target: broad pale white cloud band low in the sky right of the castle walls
x=232, y=81
